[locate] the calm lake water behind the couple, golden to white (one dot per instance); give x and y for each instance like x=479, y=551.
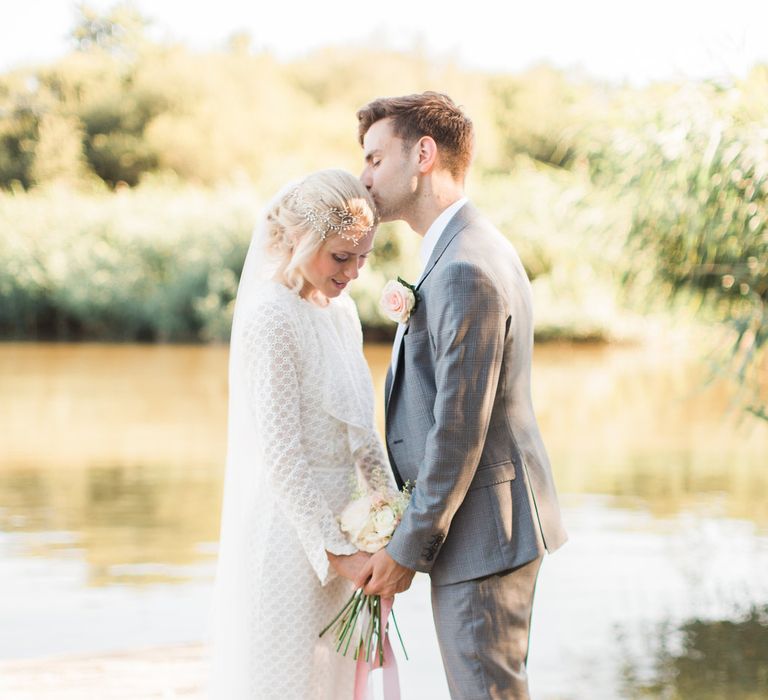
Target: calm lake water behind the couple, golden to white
x=111, y=462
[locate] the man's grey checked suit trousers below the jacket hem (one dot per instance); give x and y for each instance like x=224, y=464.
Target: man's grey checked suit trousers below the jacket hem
x=483, y=626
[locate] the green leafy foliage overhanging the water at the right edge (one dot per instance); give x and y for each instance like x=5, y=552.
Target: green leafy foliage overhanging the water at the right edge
x=694, y=165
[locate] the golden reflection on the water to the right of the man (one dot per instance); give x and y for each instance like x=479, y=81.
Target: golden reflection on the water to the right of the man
x=642, y=426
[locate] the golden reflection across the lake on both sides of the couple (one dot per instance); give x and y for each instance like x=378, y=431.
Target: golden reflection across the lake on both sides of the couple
x=123, y=446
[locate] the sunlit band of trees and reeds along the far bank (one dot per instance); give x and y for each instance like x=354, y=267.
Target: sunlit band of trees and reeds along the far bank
x=132, y=174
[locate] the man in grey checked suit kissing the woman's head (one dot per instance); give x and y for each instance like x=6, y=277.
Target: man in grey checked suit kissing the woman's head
x=459, y=421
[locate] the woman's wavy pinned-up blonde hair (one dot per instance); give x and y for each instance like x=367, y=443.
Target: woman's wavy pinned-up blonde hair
x=292, y=240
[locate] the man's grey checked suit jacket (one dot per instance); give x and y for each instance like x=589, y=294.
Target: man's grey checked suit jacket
x=459, y=419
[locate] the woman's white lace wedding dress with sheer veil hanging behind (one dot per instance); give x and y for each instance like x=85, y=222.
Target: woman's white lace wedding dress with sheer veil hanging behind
x=301, y=427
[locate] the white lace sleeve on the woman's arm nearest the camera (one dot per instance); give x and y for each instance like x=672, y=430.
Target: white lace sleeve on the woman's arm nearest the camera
x=272, y=370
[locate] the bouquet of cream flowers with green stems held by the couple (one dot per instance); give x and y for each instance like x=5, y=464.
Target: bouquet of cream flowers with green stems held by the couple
x=369, y=522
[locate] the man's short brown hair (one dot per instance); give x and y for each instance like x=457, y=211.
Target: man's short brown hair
x=426, y=114
